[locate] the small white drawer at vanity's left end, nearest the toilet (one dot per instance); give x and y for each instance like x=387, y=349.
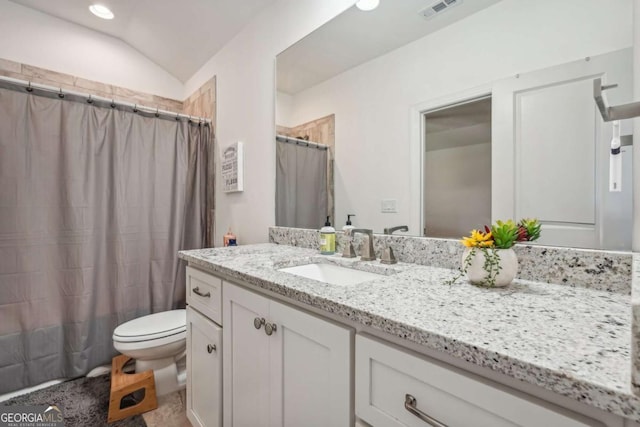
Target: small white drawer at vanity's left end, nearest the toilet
x=204, y=293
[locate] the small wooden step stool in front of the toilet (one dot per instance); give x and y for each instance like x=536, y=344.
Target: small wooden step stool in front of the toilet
x=123, y=384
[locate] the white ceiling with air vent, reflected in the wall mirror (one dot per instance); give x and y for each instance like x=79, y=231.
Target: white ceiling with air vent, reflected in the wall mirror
x=355, y=37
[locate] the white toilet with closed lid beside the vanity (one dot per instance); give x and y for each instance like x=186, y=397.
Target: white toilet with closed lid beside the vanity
x=157, y=342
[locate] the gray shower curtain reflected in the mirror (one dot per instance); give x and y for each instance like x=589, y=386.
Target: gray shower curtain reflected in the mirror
x=301, y=186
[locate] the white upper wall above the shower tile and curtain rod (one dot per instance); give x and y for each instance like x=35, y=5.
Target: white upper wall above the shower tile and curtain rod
x=34, y=38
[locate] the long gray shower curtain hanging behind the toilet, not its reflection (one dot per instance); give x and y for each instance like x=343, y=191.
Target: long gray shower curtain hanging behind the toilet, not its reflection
x=94, y=204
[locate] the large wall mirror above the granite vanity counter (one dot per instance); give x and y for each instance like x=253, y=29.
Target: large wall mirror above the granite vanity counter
x=447, y=115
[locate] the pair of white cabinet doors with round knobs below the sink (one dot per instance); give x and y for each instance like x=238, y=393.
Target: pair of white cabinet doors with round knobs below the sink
x=293, y=370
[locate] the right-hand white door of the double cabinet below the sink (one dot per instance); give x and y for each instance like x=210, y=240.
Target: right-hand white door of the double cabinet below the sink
x=311, y=370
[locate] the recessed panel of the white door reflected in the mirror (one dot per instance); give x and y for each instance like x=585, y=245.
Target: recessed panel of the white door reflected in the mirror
x=565, y=147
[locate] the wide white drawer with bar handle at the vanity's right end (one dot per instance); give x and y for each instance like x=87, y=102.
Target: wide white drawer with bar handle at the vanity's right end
x=386, y=377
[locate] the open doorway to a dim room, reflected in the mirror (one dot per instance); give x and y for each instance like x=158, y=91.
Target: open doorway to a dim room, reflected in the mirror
x=457, y=168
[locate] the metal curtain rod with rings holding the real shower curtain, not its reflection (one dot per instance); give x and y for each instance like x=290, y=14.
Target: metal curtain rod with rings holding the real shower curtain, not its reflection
x=30, y=86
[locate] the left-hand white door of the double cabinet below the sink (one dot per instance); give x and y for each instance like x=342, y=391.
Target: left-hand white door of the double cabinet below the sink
x=246, y=358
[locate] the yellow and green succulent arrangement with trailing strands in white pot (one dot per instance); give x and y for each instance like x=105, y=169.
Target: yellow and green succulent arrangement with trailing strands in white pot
x=501, y=235
